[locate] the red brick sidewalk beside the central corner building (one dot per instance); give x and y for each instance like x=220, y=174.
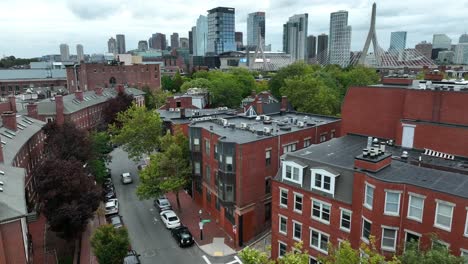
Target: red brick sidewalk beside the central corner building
x=215, y=241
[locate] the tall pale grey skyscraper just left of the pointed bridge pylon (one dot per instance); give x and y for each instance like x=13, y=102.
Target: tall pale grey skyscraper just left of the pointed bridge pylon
x=340, y=39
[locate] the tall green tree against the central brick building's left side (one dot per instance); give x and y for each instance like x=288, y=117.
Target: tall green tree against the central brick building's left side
x=168, y=170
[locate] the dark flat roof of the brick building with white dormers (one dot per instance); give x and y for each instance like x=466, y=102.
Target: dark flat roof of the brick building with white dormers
x=438, y=174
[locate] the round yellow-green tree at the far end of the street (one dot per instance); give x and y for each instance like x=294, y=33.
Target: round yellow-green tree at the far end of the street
x=139, y=132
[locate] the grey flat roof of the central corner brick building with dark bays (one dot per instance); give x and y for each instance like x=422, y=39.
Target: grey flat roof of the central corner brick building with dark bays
x=241, y=129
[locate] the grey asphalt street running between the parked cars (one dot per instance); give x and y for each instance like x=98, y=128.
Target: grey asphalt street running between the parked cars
x=148, y=235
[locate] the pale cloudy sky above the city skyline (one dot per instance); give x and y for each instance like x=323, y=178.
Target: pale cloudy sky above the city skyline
x=30, y=28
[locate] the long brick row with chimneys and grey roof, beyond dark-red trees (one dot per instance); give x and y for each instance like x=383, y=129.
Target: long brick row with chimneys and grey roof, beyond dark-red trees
x=82, y=108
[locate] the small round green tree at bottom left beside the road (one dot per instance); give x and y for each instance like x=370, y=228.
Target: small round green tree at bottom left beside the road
x=110, y=245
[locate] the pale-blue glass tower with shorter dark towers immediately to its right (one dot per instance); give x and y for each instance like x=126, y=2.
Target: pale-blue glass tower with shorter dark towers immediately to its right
x=295, y=36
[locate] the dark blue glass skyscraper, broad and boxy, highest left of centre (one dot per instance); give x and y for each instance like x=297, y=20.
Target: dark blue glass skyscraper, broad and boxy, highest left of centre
x=221, y=28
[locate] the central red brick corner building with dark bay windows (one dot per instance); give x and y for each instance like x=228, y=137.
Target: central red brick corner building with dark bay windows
x=234, y=159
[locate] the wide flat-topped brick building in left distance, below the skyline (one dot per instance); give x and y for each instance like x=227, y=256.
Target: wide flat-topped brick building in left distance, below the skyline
x=89, y=76
